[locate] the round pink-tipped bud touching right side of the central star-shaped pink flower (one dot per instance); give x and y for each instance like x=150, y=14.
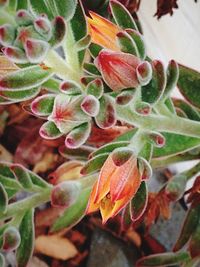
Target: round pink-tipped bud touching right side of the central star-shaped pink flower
x=90, y=105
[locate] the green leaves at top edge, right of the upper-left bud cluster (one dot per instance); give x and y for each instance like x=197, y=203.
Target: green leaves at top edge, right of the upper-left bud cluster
x=53, y=8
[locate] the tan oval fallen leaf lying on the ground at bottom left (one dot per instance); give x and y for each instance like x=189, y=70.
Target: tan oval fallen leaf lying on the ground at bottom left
x=56, y=247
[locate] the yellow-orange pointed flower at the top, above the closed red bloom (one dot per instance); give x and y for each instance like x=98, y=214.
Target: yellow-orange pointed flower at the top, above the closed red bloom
x=103, y=32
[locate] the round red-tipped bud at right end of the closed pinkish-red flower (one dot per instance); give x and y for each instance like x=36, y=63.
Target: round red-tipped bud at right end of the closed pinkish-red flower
x=144, y=73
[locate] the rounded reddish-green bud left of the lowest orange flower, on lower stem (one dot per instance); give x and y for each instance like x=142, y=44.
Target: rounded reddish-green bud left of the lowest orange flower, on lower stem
x=65, y=194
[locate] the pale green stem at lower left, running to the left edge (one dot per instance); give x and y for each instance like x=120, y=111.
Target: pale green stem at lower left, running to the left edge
x=26, y=204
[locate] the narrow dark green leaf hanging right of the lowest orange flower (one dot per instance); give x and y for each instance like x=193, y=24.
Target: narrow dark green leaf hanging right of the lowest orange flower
x=139, y=202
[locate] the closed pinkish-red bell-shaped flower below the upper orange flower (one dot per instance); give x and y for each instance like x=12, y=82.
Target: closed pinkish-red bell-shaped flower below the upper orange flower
x=118, y=69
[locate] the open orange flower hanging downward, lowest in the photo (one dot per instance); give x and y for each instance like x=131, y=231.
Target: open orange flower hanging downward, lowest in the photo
x=118, y=182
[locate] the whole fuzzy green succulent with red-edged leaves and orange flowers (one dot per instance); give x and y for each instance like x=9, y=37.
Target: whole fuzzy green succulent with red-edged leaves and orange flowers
x=88, y=79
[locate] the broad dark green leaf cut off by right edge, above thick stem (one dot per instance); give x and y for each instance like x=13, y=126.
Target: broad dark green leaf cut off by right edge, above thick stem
x=189, y=85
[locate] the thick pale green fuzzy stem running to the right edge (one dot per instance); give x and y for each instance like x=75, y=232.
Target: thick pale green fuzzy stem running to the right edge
x=159, y=123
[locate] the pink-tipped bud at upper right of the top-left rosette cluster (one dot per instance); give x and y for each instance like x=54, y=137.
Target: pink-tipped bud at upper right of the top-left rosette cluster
x=43, y=27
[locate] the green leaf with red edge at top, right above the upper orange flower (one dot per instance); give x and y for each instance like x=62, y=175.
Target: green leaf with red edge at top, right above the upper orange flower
x=122, y=16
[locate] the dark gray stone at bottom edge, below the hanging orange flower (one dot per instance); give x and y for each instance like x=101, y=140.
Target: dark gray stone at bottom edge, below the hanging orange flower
x=108, y=251
